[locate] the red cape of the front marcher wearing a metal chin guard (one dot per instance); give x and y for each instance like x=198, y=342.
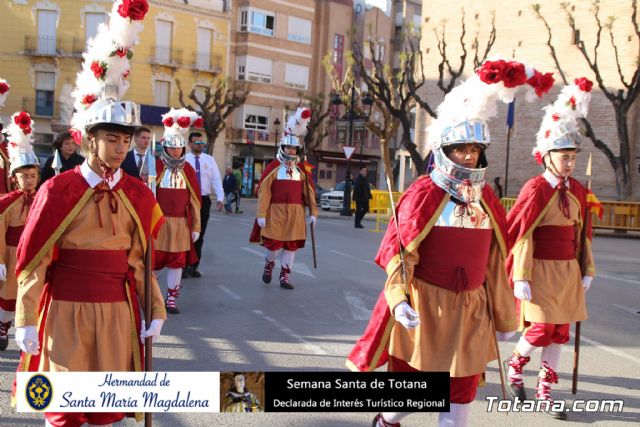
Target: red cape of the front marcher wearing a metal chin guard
x=418, y=209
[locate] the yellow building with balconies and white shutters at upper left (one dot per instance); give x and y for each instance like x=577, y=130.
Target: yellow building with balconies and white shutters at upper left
x=42, y=41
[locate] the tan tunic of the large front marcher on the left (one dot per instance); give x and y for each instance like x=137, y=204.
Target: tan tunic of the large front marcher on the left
x=86, y=336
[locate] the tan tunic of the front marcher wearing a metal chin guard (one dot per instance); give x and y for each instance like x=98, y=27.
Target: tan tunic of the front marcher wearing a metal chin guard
x=455, y=332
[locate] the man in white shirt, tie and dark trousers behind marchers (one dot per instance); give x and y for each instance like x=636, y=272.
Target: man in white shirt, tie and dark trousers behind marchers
x=210, y=182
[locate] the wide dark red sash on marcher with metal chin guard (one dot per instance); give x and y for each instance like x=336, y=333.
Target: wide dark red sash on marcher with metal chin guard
x=454, y=258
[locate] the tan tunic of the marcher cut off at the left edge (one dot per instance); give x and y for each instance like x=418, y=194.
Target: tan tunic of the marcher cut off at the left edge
x=14, y=216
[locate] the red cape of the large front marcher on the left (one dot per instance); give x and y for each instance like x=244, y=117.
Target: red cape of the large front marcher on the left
x=55, y=206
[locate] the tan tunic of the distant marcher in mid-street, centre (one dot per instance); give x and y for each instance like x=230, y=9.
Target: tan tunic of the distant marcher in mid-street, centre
x=285, y=221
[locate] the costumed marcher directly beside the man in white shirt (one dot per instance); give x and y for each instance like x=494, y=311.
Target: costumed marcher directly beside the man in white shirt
x=178, y=193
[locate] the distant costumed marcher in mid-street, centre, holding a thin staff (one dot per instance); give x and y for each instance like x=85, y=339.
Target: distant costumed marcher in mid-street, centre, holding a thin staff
x=284, y=190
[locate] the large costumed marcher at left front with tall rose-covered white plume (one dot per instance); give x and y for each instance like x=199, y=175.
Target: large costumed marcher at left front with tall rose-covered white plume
x=80, y=261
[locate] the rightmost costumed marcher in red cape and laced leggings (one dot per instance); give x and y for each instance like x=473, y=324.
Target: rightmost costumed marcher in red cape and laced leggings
x=544, y=229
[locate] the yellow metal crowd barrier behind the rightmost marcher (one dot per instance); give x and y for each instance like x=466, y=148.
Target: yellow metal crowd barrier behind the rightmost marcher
x=623, y=216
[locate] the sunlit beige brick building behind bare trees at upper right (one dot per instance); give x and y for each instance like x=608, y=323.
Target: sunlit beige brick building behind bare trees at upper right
x=519, y=34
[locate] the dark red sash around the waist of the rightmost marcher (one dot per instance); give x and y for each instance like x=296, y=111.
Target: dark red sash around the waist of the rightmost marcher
x=555, y=242
